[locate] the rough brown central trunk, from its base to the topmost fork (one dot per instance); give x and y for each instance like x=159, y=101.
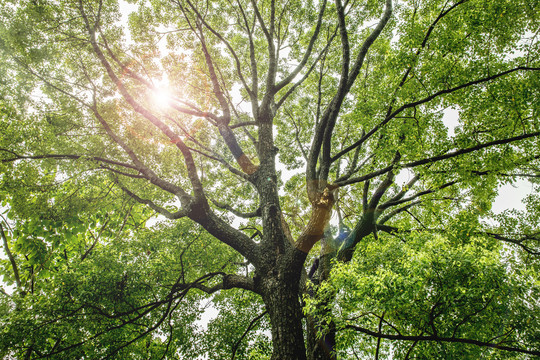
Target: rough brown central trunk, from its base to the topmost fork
x=278, y=272
